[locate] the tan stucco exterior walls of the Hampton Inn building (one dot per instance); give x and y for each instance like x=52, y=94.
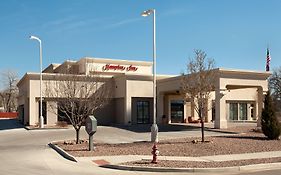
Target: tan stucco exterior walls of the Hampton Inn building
x=230, y=85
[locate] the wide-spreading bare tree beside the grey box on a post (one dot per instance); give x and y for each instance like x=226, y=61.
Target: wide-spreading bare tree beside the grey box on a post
x=78, y=96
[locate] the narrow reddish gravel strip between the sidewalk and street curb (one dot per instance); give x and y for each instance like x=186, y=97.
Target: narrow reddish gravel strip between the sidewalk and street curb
x=192, y=164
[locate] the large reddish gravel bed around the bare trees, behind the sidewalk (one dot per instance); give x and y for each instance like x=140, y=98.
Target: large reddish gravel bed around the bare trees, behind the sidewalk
x=248, y=142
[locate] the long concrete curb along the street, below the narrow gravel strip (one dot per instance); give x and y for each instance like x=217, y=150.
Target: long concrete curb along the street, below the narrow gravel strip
x=197, y=170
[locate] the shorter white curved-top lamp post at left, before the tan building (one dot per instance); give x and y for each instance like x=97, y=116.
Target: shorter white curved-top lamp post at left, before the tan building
x=41, y=120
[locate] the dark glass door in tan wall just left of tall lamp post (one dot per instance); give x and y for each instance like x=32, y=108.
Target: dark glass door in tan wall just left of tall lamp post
x=143, y=112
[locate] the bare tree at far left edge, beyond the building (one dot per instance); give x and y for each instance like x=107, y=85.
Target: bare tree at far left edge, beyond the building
x=9, y=93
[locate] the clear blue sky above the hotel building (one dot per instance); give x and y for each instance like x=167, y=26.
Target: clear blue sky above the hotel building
x=233, y=32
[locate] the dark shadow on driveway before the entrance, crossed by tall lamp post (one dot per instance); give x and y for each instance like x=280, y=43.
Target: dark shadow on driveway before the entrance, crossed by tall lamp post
x=161, y=128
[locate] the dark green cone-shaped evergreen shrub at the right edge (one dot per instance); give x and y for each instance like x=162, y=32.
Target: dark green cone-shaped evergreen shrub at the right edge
x=270, y=124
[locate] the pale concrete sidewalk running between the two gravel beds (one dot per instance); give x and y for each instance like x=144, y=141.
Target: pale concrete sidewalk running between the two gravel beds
x=216, y=158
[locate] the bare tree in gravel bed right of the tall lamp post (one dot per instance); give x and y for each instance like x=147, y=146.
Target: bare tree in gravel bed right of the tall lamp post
x=197, y=84
